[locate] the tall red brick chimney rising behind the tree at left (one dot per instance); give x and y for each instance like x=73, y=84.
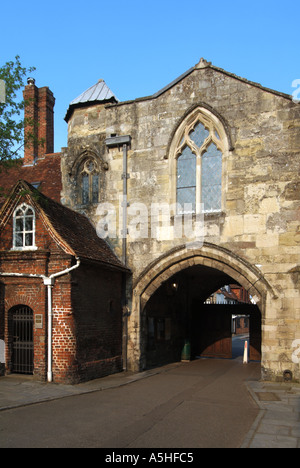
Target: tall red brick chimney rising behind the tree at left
x=39, y=121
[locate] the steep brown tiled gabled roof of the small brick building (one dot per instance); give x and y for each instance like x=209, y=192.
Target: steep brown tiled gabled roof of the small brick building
x=72, y=231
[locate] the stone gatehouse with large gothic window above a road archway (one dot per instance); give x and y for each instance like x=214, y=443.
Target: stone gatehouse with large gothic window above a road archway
x=195, y=187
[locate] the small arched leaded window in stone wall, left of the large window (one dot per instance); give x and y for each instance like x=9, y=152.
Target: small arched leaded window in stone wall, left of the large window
x=89, y=182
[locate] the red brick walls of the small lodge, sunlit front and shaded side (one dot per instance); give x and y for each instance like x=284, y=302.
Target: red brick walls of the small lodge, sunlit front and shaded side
x=87, y=315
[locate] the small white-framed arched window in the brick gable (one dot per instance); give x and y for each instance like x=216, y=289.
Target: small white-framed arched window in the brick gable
x=24, y=227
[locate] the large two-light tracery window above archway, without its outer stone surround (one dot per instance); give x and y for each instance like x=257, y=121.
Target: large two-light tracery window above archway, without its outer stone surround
x=199, y=155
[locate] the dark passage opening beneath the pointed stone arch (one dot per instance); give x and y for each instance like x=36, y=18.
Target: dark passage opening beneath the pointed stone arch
x=183, y=319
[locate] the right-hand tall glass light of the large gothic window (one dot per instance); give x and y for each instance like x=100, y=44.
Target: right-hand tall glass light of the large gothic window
x=211, y=181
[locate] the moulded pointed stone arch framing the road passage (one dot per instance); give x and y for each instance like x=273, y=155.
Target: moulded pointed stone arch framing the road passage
x=182, y=258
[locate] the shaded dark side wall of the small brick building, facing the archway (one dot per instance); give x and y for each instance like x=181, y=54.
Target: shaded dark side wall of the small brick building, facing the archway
x=96, y=301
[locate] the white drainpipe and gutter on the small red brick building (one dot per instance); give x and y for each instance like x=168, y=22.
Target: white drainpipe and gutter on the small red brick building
x=49, y=282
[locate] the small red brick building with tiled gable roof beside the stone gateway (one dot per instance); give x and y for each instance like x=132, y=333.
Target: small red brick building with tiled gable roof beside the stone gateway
x=60, y=292
